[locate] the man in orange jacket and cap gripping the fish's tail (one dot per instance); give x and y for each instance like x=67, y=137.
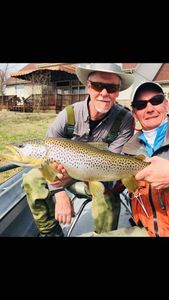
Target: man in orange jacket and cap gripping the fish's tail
x=150, y=201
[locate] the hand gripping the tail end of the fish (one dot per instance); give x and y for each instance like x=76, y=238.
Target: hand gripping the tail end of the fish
x=157, y=173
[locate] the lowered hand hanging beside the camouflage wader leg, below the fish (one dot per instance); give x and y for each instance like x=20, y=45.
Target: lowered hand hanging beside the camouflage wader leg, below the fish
x=64, y=210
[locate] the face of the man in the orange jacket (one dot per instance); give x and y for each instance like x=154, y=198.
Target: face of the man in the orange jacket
x=151, y=116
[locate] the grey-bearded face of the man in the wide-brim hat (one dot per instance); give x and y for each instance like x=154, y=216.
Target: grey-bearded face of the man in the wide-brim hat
x=102, y=99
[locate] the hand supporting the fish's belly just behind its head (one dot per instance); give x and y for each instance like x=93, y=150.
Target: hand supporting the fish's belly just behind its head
x=62, y=178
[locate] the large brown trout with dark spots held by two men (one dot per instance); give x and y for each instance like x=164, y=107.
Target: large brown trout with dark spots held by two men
x=83, y=161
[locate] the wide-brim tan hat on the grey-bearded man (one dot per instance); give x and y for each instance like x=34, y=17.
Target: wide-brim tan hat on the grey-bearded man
x=83, y=71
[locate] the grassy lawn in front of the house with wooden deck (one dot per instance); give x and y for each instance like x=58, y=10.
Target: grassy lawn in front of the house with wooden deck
x=16, y=127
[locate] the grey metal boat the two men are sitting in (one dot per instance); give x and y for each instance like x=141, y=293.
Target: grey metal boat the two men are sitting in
x=16, y=219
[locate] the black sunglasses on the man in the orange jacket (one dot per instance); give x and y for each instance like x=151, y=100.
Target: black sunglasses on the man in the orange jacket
x=155, y=100
